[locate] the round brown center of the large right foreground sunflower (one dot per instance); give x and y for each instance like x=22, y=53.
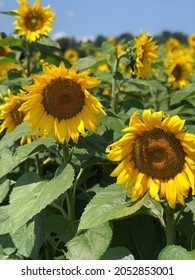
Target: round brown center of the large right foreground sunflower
x=158, y=154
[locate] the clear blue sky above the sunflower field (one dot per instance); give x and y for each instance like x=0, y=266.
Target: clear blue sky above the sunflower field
x=88, y=18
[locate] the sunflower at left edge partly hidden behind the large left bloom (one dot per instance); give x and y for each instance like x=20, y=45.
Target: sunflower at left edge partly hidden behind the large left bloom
x=11, y=117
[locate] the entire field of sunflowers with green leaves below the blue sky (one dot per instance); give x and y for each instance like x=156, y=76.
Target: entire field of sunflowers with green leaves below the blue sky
x=97, y=152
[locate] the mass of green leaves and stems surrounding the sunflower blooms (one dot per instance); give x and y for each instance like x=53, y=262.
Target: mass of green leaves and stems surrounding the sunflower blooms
x=60, y=202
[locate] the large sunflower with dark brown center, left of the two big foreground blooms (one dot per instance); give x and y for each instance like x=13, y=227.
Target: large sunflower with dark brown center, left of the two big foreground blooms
x=60, y=104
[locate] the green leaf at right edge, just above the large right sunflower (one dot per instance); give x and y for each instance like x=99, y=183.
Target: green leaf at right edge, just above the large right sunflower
x=183, y=93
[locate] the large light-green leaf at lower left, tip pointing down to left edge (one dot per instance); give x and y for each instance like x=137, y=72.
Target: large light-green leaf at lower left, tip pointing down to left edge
x=28, y=200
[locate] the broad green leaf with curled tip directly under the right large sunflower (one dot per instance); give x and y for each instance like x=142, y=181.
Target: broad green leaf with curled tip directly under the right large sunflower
x=108, y=204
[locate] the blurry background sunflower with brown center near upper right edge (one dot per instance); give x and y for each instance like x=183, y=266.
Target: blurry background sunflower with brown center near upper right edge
x=178, y=67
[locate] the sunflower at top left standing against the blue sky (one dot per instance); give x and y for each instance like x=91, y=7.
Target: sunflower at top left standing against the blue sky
x=33, y=21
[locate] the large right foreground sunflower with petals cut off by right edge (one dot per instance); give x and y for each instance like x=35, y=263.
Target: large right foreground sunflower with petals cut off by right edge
x=156, y=156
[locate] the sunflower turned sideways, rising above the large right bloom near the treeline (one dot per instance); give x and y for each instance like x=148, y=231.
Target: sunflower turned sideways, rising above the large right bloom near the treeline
x=146, y=50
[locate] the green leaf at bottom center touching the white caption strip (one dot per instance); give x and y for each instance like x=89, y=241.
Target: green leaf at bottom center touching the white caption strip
x=91, y=244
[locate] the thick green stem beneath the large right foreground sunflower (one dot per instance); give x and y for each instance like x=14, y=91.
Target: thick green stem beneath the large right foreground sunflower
x=170, y=225
